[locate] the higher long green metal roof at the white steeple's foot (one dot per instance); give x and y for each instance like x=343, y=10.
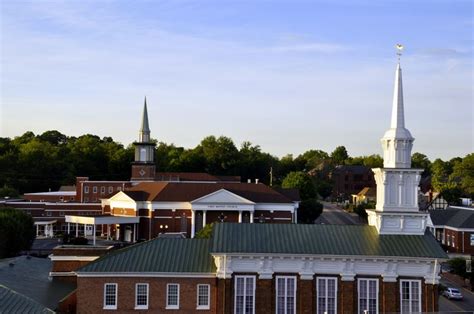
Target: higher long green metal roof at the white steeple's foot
x=342, y=240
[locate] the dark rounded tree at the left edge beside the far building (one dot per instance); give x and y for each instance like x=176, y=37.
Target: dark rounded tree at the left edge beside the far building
x=18, y=232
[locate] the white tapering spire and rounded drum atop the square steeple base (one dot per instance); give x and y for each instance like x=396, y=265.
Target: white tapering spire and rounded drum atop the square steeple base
x=397, y=141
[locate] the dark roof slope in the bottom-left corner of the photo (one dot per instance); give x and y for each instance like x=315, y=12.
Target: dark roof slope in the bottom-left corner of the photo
x=13, y=302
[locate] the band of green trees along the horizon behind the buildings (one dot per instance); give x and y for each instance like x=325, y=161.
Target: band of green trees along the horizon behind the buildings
x=31, y=163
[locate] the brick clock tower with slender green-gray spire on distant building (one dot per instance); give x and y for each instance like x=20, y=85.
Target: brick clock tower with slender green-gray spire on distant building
x=143, y=168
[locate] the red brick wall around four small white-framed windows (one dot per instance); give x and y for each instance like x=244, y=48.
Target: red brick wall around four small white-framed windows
x=90, y=294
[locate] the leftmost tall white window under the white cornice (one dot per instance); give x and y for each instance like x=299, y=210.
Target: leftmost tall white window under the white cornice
x=244, y=300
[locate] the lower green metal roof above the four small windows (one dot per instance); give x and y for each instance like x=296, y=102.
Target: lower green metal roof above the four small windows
x=158, y=255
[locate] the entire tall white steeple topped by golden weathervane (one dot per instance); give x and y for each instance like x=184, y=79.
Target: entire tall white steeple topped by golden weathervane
x=397, y=210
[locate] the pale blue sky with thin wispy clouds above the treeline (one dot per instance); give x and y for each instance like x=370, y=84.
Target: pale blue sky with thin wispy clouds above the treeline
x=286, y=75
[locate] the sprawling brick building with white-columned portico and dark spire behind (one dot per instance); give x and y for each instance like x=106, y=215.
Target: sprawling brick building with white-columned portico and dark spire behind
x=152, y=203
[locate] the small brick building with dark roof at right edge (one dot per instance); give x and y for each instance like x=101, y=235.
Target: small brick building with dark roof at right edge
x=454, y=228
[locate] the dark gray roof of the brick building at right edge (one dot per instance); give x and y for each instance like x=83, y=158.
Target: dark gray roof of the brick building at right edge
x=453, y=217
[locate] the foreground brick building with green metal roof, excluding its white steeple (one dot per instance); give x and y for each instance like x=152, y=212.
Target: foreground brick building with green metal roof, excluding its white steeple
x=266, y=268
